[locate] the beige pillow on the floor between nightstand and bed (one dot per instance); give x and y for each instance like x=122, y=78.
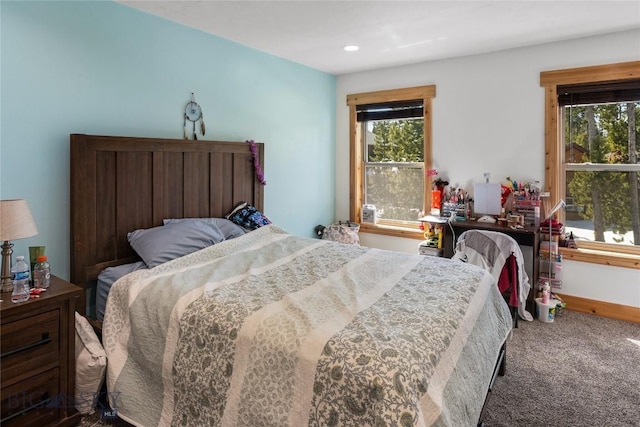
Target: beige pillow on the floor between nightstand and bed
x=91, y=364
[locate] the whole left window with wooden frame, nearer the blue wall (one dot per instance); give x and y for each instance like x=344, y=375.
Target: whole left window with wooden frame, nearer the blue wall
x=390, y=140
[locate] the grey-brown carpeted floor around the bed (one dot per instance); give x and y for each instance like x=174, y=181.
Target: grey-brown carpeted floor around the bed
x=580, y=370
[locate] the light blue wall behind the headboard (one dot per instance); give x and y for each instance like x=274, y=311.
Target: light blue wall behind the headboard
x=103, y=68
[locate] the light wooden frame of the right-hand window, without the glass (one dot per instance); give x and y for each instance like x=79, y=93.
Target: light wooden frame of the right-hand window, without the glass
x=592, y=252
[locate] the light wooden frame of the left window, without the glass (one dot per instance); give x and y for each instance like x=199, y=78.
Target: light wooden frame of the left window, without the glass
x=356, y=169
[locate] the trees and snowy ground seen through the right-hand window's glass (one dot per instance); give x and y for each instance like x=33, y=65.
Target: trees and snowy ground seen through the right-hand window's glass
x=599, y=140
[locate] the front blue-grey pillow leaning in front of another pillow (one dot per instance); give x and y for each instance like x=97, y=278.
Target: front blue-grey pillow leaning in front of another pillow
x=158, y=245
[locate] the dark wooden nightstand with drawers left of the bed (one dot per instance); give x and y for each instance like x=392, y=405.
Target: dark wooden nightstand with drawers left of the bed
x=37, y=369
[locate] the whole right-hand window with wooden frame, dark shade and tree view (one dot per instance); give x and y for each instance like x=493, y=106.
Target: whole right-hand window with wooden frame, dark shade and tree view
x=592, y=146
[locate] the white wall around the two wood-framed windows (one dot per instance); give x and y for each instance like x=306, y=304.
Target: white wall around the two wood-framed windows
x=488, y=116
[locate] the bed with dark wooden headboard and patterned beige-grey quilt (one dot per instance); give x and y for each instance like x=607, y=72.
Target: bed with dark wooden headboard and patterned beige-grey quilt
x=270, y=328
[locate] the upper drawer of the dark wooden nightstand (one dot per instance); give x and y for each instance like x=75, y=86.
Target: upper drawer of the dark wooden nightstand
x=29, y=346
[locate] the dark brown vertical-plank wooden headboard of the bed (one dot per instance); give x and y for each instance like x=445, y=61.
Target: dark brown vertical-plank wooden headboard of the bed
x=120, y=184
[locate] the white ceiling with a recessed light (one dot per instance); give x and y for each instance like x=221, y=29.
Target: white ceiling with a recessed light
x=392, y=33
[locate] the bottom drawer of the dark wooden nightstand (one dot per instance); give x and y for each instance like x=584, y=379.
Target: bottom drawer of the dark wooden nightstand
x=35, y=401
